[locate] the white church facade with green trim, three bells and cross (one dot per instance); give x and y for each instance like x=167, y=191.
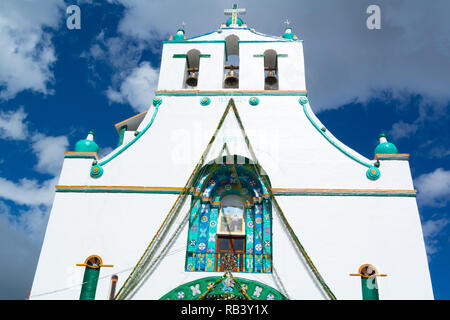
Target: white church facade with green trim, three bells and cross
x=229, y=187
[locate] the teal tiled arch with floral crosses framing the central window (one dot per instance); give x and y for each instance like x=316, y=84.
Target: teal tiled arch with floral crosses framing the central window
x=216, y=181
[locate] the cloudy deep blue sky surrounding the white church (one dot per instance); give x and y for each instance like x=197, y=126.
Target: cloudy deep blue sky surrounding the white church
x=57, y=84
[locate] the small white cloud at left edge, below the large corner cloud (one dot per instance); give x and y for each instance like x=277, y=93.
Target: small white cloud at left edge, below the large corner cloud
x=12, y=125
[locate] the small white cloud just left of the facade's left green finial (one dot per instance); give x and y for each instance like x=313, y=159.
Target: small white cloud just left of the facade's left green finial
x=49, y=152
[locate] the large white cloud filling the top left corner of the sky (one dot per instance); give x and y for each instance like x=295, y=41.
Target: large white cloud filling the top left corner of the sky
x=27, y=54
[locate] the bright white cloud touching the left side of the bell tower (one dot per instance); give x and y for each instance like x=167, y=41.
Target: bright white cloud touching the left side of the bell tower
x=137, y=89
